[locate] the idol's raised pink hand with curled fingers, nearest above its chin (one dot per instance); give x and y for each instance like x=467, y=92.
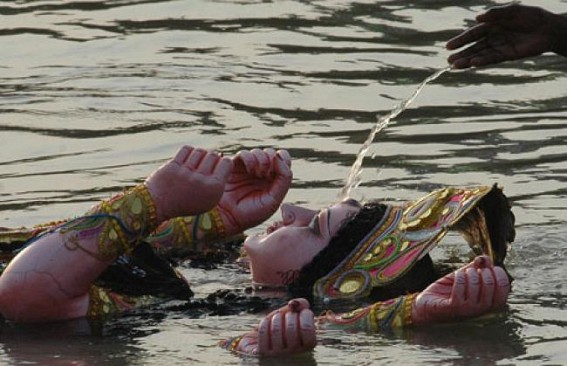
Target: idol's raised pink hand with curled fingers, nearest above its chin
x=257, y=186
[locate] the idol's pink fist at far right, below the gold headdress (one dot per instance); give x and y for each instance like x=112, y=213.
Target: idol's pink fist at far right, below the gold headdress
x=470, y=291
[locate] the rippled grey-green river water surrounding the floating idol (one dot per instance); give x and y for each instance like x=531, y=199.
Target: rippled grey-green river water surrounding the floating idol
x=96, y=94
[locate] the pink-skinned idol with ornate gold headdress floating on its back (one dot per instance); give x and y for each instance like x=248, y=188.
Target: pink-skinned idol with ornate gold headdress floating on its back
x=363, y=266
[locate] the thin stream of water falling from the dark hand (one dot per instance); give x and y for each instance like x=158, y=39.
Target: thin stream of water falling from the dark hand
x=353, y=179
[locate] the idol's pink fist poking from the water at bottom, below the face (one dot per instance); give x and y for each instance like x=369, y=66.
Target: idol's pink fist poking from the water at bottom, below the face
x=290, y=329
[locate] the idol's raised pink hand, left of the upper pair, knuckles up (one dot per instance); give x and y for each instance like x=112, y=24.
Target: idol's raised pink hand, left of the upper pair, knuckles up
x=191, y=183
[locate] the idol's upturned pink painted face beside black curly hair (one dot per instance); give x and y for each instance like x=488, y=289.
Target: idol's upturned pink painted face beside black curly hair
x=277, y=255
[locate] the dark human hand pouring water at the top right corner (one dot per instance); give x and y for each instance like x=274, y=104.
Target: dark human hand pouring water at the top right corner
x=508, y=32
